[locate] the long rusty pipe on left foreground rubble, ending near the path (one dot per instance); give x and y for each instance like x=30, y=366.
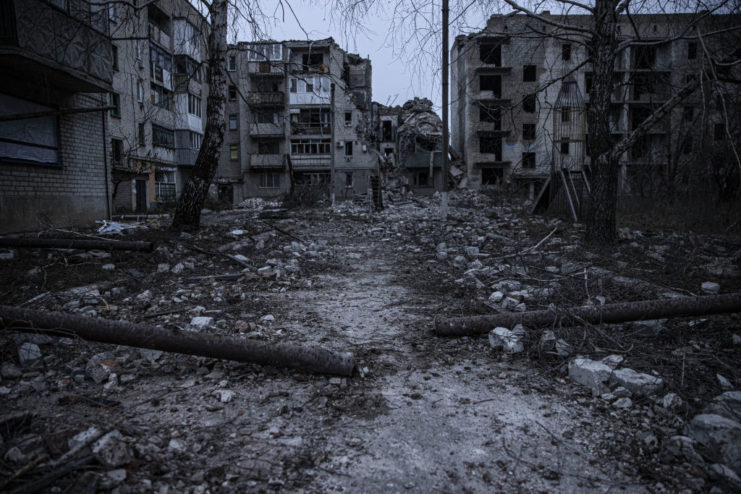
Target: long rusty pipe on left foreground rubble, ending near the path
x=308, y=358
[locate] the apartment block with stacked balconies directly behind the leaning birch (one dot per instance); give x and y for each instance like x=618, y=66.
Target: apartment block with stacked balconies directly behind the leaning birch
x=159, y=95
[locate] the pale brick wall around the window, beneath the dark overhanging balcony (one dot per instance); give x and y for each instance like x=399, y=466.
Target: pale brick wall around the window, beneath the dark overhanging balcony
x=36, y=196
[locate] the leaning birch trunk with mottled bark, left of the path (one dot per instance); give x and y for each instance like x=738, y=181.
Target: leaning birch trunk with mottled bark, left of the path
x=188, y=212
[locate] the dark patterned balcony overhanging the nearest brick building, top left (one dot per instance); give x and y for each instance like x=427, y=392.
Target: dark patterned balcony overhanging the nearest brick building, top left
x=40, y=42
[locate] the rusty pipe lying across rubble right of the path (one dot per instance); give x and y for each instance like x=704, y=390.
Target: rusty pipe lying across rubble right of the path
x=608, y=313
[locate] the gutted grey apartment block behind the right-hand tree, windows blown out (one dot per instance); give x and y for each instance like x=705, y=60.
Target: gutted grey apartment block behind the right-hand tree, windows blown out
x=519, y=99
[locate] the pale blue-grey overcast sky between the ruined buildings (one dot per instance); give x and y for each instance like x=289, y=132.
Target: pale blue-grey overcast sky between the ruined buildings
x=398, y=74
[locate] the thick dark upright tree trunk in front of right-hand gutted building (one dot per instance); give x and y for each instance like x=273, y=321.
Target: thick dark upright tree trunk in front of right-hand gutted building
x=600, y=221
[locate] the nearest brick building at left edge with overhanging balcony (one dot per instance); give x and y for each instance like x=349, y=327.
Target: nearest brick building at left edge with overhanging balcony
x=55, y=75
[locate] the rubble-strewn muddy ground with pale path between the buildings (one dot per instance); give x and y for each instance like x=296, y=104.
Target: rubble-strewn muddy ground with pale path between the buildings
x=421, y=414
